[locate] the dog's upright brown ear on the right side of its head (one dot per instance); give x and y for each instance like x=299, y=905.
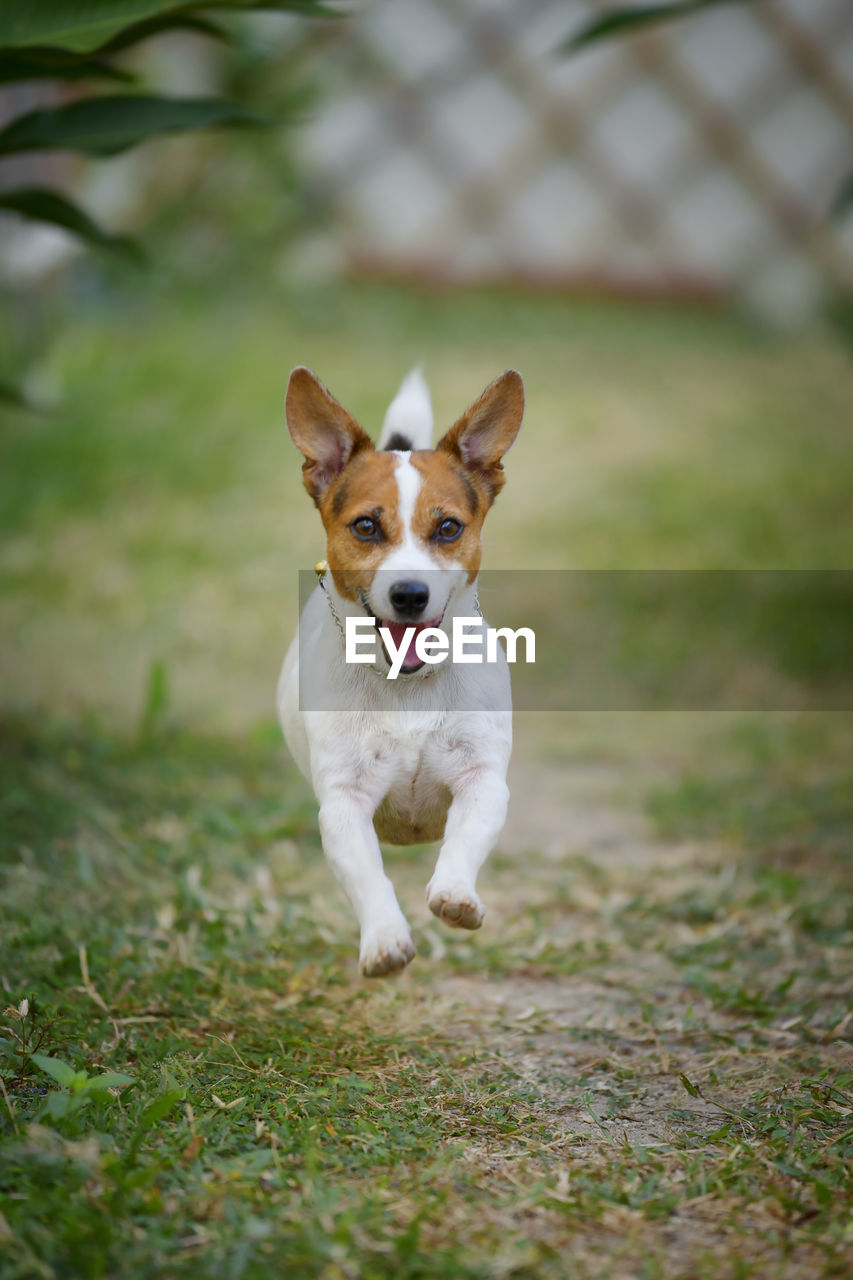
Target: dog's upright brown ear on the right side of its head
x=487, y=429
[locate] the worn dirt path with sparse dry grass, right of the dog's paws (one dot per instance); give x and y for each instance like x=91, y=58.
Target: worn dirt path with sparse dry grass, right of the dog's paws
x=604, y=985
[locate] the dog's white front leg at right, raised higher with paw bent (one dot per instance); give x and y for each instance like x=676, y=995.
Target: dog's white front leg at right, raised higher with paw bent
x=475, y=822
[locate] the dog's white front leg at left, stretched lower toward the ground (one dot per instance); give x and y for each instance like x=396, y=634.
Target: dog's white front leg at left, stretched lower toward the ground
x=353, y=849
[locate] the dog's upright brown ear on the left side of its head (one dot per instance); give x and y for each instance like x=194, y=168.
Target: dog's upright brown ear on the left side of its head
x=322, y=431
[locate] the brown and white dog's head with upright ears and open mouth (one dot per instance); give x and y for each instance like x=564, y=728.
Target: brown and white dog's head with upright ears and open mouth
x=403, y=527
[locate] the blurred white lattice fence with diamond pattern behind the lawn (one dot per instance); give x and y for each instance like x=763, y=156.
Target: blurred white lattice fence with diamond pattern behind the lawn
x=704, y=156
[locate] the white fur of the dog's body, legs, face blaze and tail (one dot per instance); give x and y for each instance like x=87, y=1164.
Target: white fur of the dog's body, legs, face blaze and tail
x=419, y=758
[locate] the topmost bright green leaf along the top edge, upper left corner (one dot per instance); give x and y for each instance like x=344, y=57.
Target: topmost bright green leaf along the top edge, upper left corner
x=84, y=25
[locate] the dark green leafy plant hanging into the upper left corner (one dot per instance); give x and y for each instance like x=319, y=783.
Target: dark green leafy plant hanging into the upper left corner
x=99, y=108
